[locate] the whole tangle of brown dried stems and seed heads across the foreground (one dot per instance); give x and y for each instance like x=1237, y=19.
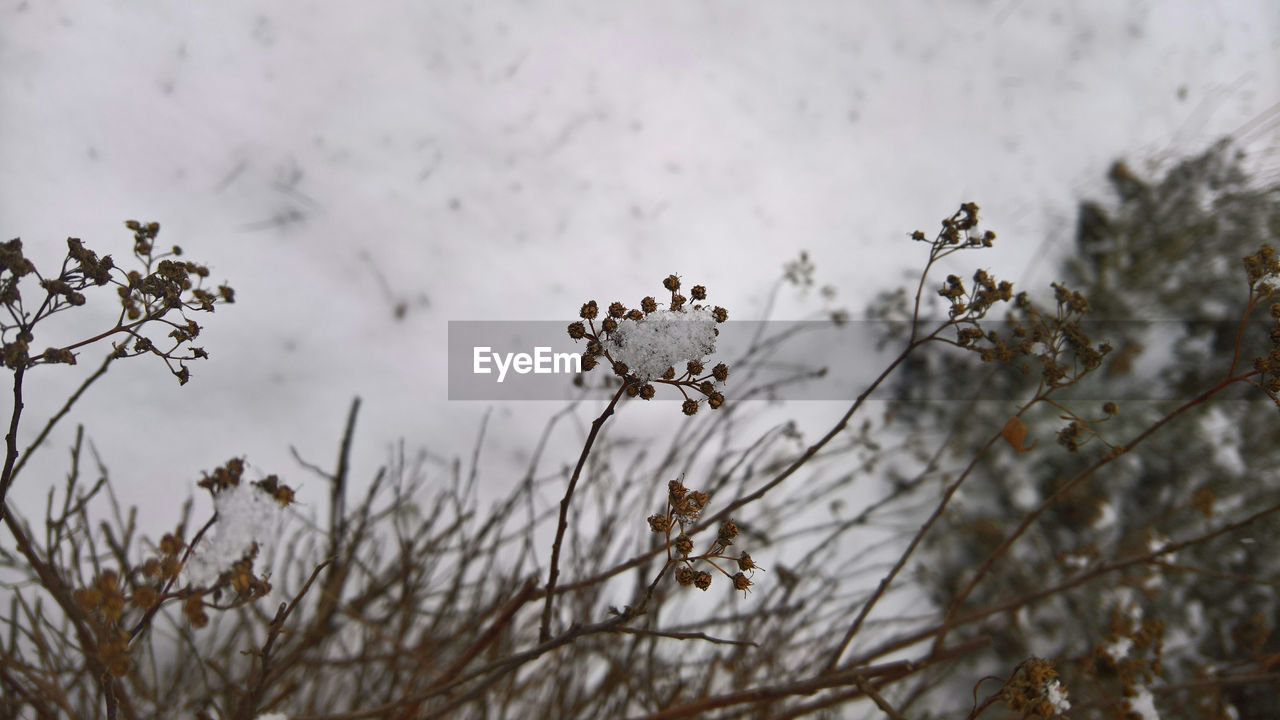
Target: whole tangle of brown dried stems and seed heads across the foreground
x=424, y=598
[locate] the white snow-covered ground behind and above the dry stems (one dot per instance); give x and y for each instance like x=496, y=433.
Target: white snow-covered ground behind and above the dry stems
x=513, y=160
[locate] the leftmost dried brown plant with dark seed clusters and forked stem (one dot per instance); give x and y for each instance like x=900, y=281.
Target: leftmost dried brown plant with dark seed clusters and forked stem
x=109, y=610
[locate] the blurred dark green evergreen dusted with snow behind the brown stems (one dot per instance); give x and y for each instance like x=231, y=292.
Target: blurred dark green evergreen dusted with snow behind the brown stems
x=1160, y=266
